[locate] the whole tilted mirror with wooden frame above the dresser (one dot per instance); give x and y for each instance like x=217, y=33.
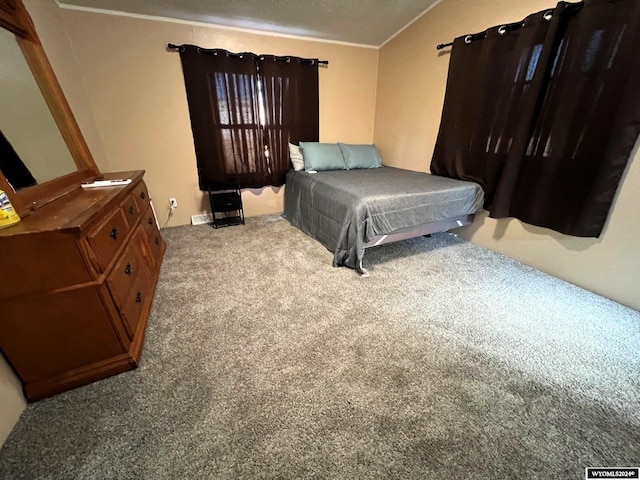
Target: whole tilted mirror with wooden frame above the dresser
x=43, y=154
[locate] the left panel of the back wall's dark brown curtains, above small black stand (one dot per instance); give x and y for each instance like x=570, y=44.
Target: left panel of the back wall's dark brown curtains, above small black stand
x=222, y=92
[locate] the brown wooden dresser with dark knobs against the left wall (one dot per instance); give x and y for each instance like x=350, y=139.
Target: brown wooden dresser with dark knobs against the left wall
x=77, y=279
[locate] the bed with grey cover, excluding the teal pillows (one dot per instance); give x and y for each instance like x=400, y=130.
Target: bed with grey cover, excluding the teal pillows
x=349, y=211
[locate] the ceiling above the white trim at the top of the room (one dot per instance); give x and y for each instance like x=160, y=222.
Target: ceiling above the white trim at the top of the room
x=367, y=22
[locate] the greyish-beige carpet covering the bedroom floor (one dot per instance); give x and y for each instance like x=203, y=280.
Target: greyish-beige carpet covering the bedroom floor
x=264, y=361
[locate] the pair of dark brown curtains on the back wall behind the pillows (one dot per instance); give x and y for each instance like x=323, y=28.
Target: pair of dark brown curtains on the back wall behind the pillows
x=244, y=110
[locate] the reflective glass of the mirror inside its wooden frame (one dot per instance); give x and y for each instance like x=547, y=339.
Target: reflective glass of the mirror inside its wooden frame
x=32, y=150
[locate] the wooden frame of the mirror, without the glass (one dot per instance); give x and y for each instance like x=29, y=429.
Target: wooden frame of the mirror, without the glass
x=15, y=18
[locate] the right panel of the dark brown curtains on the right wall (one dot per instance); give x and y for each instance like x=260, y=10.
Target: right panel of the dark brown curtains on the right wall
x=587, y=123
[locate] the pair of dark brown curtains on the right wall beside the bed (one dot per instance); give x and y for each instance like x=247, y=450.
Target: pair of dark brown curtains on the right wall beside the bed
x=549, y=141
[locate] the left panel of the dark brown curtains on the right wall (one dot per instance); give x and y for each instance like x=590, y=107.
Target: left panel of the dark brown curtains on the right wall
x=489, y=92
